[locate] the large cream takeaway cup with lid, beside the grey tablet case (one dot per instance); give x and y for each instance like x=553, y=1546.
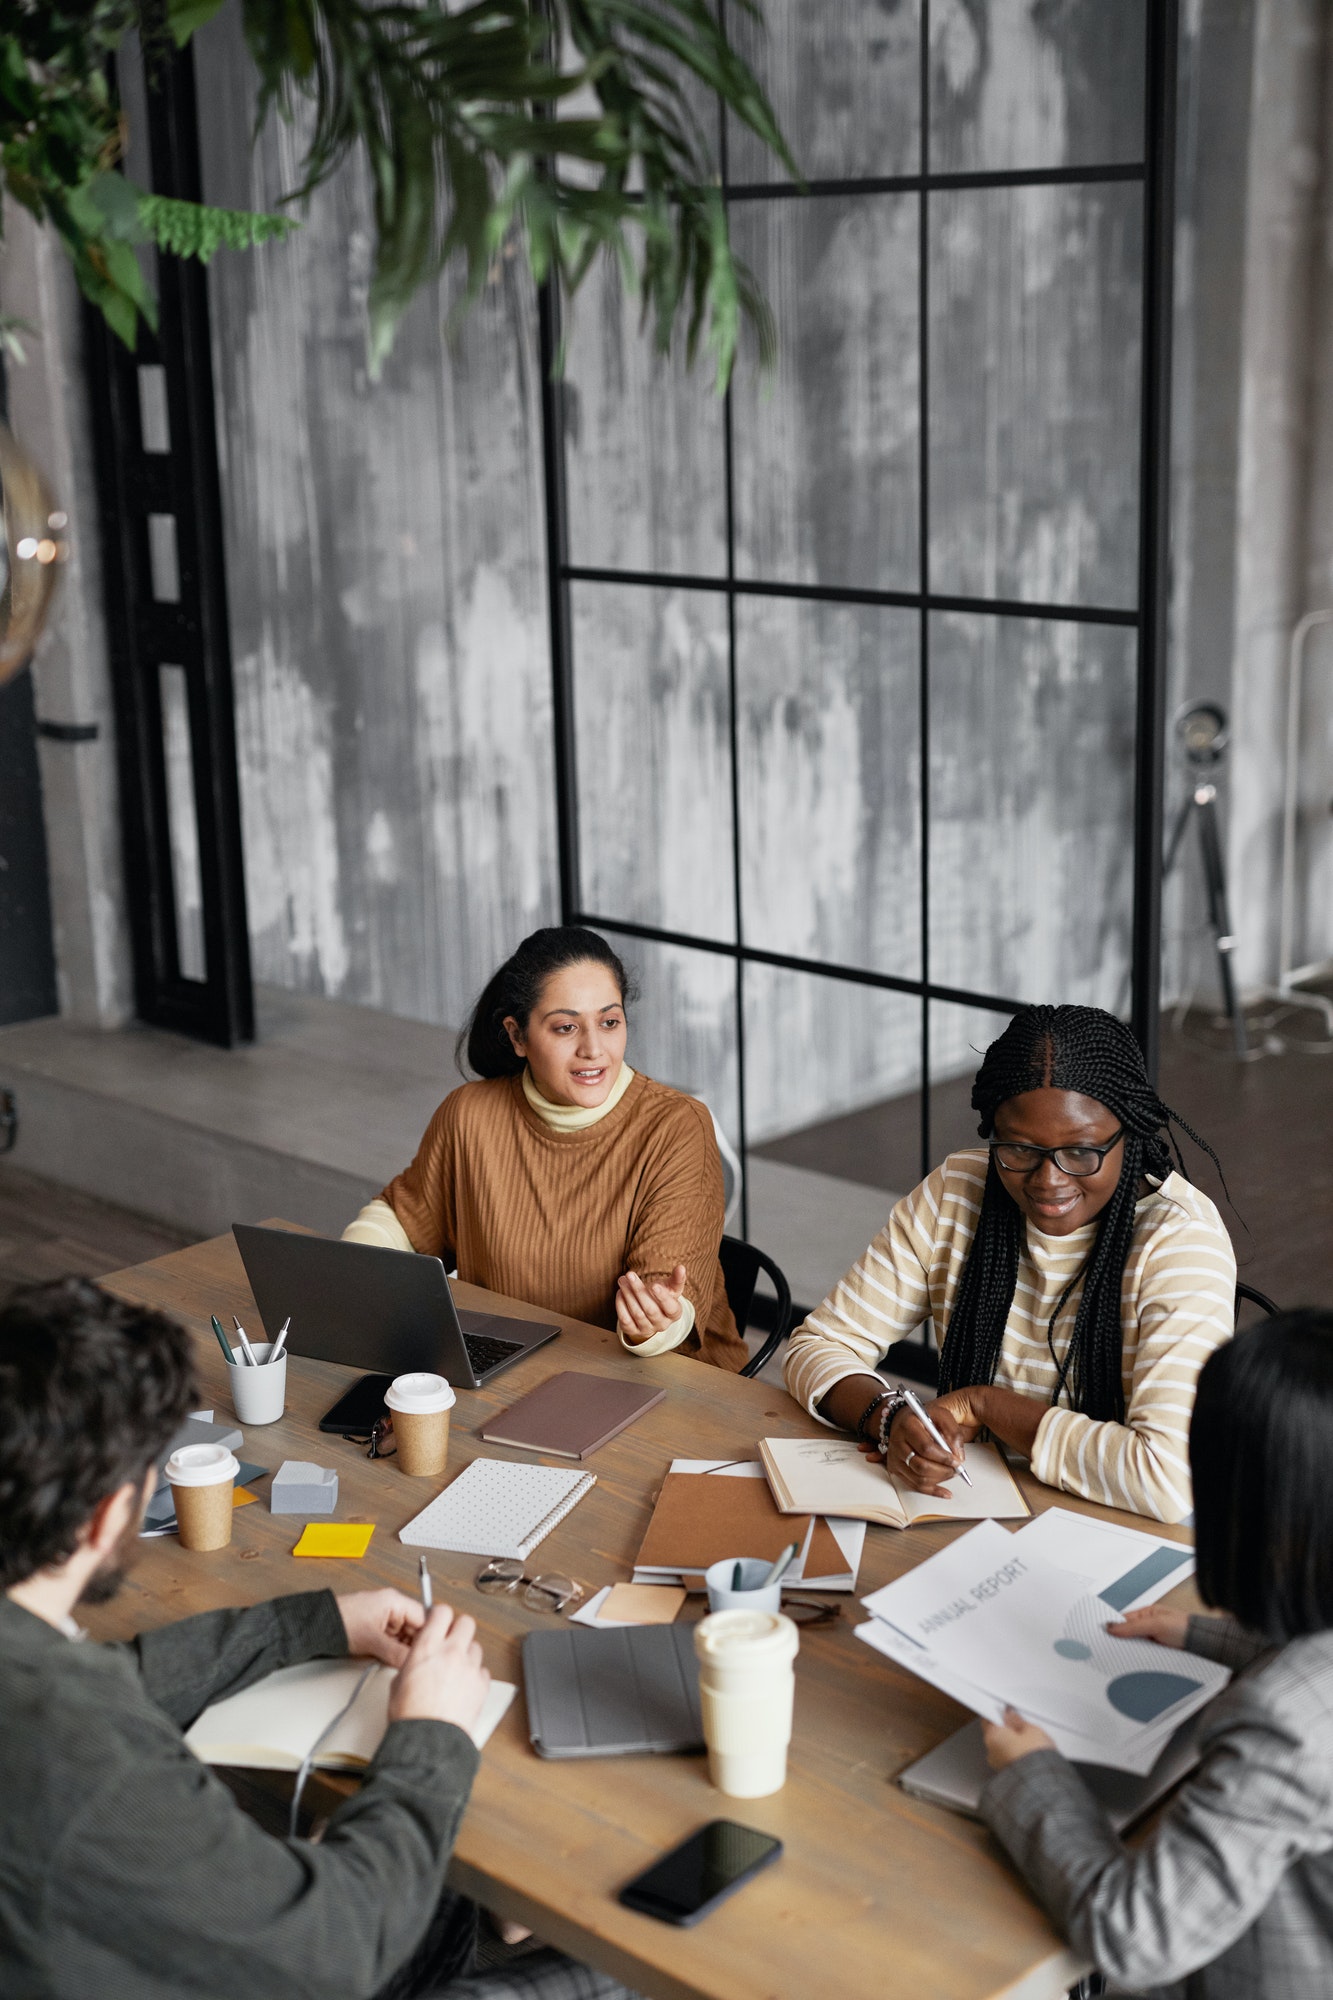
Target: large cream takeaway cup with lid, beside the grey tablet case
x=746, y=1693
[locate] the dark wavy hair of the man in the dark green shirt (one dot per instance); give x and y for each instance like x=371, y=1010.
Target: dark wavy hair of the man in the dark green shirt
x=91, y=1393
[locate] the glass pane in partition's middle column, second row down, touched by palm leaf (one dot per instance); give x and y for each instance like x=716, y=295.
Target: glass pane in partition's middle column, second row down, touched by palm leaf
x=826, y=453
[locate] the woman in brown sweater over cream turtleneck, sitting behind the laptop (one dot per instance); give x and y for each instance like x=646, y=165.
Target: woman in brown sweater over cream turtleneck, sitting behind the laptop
x=563, y=1177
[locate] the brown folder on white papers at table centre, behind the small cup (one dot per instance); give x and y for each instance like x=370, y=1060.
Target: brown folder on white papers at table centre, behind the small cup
x=712, y=1509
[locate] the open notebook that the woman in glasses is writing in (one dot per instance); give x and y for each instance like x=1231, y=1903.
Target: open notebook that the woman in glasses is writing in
x=832, y=1477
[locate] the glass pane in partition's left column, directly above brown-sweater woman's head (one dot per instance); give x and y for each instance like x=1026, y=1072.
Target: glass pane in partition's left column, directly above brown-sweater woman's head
x=653, y=731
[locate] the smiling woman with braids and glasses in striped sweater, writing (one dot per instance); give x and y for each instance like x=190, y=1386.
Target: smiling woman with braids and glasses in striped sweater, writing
x=1072, y=1275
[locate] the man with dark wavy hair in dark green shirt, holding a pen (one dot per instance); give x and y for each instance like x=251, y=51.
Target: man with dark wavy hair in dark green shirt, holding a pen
x=127, y=1867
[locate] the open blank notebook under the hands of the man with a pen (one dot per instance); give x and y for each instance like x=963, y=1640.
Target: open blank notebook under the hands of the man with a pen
x=275, y=1723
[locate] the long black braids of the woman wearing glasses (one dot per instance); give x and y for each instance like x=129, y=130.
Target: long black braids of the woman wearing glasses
x=1096, y=1055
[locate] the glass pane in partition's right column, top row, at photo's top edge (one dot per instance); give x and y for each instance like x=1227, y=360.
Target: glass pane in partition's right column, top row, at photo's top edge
x=1022, y=85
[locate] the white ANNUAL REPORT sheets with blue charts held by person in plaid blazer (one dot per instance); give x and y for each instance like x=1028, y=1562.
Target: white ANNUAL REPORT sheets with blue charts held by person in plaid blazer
x=994, y=1623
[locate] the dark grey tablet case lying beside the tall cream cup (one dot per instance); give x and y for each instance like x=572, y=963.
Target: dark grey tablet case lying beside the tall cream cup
x=611, y=1693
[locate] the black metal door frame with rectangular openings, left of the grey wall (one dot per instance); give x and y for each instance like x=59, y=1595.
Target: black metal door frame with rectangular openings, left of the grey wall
x=191, y=633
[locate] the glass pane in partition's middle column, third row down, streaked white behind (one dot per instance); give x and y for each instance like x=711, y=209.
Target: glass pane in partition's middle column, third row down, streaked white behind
x=830, y=781
